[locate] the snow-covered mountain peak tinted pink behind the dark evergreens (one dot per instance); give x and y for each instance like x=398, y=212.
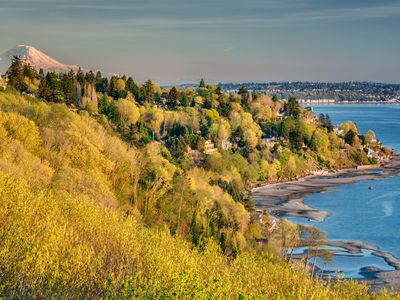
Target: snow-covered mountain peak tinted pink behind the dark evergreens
x=35, y=58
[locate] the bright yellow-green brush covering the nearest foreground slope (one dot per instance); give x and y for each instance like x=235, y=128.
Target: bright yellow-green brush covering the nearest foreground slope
x=55, y=245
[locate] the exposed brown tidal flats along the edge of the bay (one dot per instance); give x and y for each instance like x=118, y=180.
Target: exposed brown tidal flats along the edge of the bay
x=287, y=199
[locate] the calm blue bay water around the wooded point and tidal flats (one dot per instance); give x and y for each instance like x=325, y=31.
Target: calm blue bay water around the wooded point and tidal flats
x=357, y=213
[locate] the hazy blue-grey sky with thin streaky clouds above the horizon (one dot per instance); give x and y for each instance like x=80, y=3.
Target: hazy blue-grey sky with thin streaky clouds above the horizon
x=221, y=40
